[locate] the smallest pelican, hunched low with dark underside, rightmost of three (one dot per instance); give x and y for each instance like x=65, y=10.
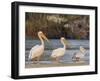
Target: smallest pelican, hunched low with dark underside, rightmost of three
x=79, y=55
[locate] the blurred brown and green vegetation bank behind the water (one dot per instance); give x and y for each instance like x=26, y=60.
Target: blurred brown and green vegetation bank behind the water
x=57, y=25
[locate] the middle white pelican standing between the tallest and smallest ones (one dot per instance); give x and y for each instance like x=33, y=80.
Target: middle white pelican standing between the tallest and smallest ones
x=59, y=52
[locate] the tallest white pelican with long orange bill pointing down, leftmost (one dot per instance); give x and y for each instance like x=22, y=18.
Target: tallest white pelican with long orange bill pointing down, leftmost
x=37, y=51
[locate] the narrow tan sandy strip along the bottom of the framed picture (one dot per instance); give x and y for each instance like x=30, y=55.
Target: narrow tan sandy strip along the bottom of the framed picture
x=53, y=65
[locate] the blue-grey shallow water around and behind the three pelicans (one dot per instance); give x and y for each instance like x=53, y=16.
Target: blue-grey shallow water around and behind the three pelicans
x=67, y=58
